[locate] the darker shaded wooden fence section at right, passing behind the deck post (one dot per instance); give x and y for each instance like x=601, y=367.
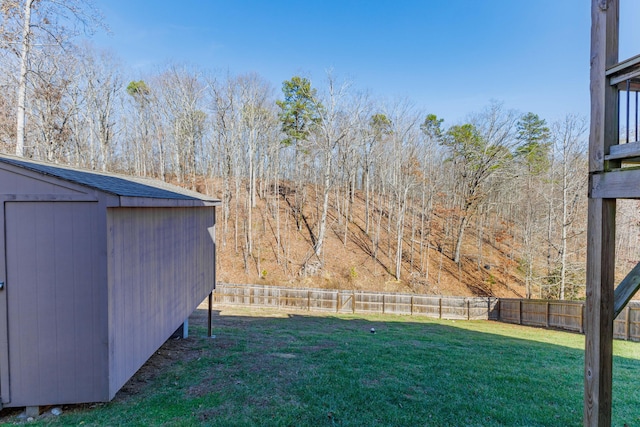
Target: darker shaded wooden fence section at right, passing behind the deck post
x=567, y=315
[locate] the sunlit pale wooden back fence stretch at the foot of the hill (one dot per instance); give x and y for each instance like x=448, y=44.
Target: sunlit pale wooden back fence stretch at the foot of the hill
x=344, y=301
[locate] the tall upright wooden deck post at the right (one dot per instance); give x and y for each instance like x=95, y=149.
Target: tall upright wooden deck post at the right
x=601, y=219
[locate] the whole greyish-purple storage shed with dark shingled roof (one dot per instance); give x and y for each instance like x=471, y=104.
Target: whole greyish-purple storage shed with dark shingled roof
x=96, y=272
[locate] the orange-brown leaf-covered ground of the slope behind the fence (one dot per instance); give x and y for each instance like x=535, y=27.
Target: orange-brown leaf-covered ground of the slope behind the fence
x=349, y=259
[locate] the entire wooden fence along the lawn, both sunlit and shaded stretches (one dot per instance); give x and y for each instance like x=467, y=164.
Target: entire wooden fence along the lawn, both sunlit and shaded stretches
x=566, y=315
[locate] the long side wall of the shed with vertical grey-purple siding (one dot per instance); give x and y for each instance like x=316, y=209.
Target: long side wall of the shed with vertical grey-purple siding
x=161, y=266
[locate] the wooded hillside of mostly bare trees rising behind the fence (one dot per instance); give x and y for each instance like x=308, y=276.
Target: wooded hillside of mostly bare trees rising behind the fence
x=322, y=184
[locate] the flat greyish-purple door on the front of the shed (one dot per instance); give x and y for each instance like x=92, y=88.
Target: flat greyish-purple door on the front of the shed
x=50, y=252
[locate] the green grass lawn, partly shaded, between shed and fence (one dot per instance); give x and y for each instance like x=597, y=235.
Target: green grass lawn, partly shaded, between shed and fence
x=271, y=368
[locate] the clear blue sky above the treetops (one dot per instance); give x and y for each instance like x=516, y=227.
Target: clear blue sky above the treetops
x=450, y=57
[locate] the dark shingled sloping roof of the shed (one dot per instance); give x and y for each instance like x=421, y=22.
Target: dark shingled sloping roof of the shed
x=126, y=187
